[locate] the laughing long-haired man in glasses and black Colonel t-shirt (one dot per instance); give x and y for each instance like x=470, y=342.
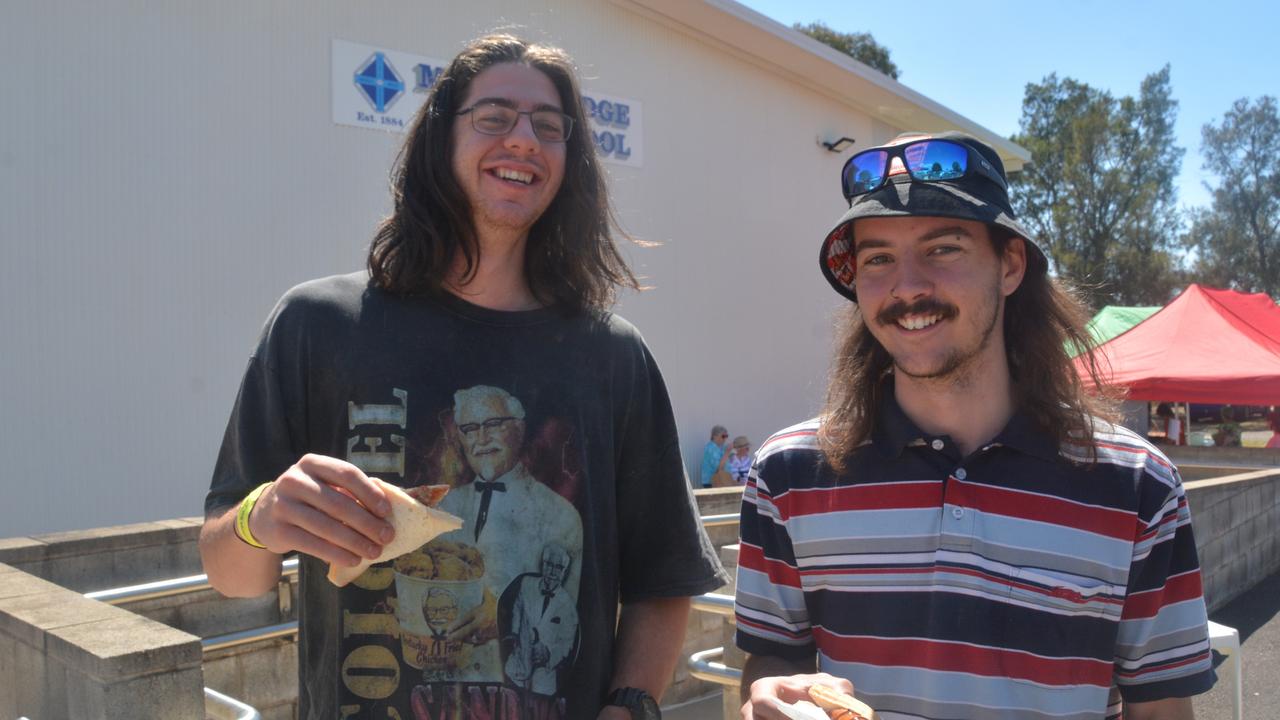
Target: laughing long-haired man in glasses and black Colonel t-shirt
x=478, y=350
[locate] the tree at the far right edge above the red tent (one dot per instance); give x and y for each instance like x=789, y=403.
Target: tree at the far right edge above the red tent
x=1238, y=236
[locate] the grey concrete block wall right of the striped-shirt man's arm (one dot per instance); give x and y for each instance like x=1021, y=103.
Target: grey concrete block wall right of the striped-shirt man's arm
x=1237, y=525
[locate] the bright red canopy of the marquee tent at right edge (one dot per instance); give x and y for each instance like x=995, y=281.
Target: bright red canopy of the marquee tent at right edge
x=1205, y=347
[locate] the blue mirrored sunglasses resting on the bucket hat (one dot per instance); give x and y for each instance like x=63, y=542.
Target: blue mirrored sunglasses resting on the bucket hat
x=926, y=161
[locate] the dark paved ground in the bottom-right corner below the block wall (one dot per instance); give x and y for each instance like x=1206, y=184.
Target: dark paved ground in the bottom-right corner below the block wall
x=1256, y=616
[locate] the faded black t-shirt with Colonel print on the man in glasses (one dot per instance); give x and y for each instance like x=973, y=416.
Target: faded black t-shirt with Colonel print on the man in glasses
x=559, y=440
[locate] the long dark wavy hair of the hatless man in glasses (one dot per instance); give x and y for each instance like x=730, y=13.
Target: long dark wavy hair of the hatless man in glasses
x=572, y=261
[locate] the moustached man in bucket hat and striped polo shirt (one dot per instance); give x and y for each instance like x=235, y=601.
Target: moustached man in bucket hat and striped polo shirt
x=963, y=534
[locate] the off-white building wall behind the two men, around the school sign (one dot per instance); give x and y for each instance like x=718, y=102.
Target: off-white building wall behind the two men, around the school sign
x=170, y=170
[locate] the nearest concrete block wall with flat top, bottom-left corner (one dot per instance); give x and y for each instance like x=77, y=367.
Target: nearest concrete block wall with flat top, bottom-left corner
x=66, y=657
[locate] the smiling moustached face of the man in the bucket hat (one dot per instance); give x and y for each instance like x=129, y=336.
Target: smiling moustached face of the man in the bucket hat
x=932, y=291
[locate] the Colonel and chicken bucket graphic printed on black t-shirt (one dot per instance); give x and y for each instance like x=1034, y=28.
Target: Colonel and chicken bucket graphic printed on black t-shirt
x=482, y=622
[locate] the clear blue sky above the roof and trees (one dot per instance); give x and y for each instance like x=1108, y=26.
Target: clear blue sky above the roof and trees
x=979, y=57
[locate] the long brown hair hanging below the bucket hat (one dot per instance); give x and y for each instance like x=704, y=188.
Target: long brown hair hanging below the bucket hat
x=1044, y=325
